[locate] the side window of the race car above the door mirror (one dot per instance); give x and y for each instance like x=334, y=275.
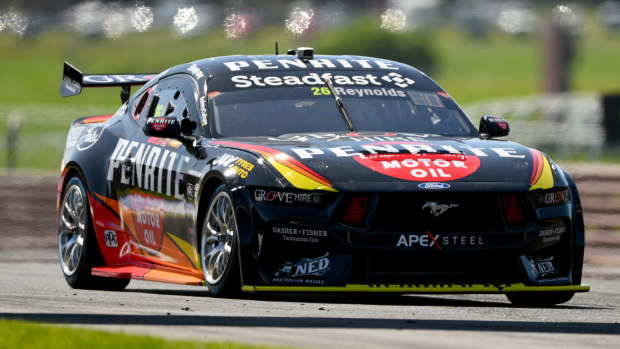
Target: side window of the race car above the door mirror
x=175, y=97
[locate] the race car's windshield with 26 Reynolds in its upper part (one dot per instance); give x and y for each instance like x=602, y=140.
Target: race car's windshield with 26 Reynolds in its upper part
x=264, y=110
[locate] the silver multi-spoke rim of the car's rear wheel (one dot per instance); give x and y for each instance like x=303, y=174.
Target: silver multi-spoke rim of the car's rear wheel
x=71, y=231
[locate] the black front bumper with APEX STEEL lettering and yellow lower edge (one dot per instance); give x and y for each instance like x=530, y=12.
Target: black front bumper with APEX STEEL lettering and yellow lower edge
x=310, y=249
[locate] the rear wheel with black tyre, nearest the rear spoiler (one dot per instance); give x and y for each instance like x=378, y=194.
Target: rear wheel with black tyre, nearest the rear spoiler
x=77, y=244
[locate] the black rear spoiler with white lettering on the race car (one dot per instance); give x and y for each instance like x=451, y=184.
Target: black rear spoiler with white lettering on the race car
x=73, y=80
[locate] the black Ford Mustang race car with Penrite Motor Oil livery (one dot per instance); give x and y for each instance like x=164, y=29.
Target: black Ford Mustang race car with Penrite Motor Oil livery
x=310, y=173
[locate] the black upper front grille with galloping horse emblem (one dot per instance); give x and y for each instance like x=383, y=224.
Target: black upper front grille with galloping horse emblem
x=437, y=212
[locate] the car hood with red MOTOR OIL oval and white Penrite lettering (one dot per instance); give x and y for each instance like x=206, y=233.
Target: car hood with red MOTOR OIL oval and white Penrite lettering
x=398, y=161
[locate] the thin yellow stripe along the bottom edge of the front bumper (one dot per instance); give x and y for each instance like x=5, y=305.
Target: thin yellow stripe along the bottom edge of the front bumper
x=423, y=288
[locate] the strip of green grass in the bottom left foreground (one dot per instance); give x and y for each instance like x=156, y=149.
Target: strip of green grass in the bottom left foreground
x=26, y=335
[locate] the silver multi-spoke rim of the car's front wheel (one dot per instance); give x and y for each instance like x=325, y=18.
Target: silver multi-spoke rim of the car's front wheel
x=218, y=237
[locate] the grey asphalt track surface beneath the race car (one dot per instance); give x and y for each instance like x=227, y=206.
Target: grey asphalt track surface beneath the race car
x=32, y=288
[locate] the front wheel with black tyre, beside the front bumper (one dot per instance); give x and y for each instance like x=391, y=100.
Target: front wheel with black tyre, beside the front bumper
x=218, y=247
